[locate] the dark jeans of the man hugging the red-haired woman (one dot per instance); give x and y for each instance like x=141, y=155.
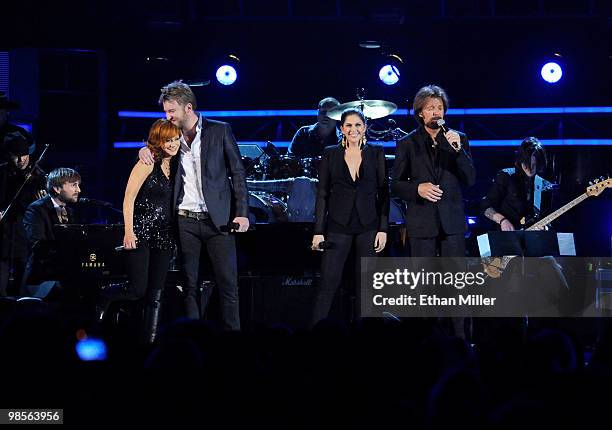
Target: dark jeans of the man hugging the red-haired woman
x=194, y=235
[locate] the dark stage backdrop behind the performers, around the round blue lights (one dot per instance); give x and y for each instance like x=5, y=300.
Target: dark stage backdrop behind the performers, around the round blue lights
x=76, y=64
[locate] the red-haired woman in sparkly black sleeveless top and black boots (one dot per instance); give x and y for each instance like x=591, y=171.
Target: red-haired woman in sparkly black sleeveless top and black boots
x=148, y=240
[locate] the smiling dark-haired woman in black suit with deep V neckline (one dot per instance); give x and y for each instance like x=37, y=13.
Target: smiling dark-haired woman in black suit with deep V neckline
x=352, y=206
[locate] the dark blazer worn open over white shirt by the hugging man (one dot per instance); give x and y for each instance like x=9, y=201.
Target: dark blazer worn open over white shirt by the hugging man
x=220, y=159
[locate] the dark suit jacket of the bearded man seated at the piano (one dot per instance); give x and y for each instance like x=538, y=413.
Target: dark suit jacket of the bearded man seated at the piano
x=39, y=219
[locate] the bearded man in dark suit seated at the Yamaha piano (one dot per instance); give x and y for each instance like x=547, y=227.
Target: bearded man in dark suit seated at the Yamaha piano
x=63, y=186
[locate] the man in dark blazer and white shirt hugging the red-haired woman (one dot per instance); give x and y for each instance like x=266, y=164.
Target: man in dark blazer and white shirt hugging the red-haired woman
x=206, y=200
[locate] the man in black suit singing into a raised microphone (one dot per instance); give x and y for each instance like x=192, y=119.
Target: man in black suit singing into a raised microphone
x=430, y=169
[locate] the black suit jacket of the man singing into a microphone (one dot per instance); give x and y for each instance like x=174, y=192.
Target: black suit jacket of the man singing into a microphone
x=413, y=166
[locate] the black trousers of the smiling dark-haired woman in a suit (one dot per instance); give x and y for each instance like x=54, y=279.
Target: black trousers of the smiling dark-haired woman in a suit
x=332, y=266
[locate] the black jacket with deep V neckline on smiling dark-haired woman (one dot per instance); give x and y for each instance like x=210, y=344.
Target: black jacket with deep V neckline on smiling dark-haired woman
x=337, y=193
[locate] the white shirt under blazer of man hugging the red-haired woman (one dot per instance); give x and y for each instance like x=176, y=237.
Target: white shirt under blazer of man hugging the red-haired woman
x=191, y=172
